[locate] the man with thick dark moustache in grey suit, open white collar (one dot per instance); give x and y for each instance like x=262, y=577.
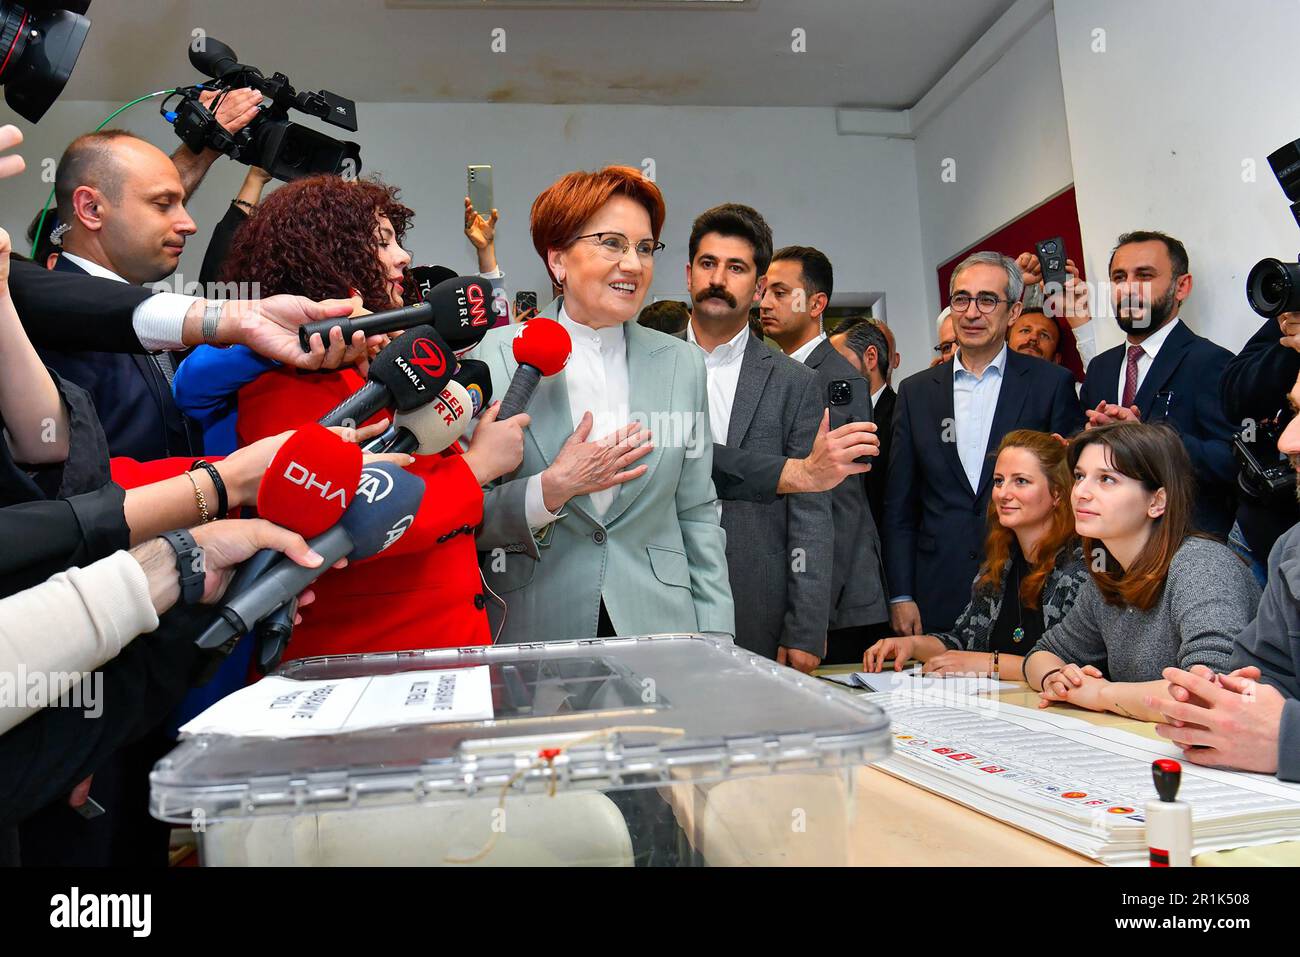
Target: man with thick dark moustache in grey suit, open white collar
x=762, y=402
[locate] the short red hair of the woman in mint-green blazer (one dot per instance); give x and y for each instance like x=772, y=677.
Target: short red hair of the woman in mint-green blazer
x=565, y=206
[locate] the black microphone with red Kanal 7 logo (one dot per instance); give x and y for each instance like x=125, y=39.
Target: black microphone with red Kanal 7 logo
x=409, y=374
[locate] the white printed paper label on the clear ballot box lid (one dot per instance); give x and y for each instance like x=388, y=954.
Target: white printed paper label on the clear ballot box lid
x=283, y=708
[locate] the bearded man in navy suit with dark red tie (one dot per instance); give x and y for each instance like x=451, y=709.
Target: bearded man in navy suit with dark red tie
x=1165, y=373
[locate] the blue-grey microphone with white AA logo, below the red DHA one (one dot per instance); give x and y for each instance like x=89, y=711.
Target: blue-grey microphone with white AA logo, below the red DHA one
x=384, y=508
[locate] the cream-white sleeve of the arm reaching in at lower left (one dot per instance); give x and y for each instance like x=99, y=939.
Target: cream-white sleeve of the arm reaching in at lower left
x=51, y=635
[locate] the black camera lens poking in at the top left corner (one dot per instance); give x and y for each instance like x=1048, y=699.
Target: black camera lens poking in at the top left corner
x=40, y=45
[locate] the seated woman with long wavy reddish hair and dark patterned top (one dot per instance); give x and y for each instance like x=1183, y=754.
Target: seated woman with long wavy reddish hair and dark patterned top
x=1032, y=575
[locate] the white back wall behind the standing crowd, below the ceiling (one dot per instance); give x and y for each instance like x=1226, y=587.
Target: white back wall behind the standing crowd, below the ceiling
x=852, y=197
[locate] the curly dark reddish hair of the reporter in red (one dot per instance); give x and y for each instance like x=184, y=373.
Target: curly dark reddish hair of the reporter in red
x=315, y=237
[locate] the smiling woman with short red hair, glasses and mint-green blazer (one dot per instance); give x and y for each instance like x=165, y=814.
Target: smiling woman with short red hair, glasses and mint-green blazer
x=600, y=532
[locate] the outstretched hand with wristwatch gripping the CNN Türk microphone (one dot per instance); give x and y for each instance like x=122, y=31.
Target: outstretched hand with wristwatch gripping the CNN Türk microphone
x=270, y=327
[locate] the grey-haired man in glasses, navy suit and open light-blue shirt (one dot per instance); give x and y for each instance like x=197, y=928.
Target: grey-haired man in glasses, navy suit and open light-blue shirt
x=948, y=423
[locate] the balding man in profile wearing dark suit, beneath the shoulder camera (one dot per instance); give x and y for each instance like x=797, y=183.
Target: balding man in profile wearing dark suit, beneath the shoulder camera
x=124, y=206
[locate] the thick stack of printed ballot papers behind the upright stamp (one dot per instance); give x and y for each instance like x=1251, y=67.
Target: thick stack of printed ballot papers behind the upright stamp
x=1073, y=783
